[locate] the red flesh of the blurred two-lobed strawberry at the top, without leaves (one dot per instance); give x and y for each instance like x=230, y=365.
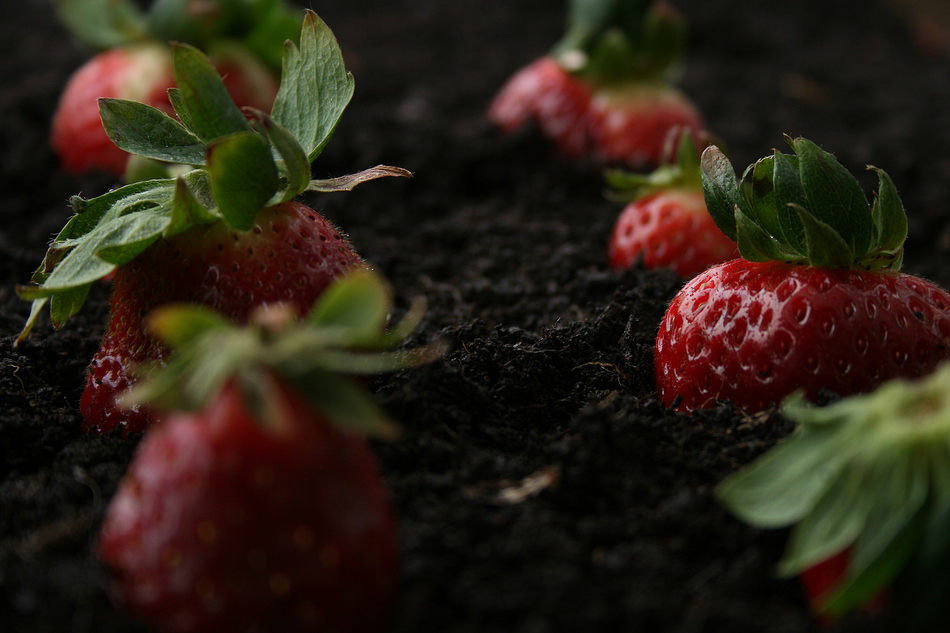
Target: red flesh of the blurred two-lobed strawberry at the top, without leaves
x=626, y=124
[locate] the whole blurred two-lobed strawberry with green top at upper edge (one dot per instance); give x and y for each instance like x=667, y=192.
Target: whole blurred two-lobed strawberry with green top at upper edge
x=605, y=91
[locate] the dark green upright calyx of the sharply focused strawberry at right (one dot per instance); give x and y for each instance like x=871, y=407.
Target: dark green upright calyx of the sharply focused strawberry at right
x=805, y=208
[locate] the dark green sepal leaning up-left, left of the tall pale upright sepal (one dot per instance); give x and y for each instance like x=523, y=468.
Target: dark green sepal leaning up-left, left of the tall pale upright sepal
x=201, y=100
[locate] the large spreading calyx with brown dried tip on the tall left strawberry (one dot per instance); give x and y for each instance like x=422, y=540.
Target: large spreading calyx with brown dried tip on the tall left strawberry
x=235, y=162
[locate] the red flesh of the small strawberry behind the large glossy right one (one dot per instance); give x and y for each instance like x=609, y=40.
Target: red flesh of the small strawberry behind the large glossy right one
x=672, y=229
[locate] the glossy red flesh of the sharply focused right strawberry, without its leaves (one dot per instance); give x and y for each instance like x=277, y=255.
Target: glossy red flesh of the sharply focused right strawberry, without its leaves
x=753, y=333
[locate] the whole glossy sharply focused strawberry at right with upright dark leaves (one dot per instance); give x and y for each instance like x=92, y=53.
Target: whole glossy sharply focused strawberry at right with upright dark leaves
x=817, y=300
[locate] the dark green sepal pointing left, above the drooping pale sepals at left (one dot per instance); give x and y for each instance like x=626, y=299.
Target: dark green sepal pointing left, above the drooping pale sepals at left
x=146, y=131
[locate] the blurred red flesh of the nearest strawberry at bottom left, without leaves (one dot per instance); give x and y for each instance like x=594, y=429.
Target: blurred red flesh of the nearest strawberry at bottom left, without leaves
x=223, y=524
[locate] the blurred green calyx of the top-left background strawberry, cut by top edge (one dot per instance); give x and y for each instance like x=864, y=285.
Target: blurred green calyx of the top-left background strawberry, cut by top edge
x=259, y=25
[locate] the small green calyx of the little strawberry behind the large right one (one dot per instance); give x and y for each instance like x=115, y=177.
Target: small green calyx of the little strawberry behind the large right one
x=678, y=169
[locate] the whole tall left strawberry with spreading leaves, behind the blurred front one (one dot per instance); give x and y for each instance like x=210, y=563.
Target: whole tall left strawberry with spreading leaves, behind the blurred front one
x=226, y=234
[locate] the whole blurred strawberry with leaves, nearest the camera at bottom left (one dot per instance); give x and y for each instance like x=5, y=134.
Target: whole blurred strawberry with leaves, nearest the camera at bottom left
x=256, y=503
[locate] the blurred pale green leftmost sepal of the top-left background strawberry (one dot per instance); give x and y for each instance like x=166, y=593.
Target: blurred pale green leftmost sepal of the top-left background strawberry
x=103, y=24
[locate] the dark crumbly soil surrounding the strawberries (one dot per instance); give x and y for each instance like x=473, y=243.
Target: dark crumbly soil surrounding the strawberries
x=549, y=381
